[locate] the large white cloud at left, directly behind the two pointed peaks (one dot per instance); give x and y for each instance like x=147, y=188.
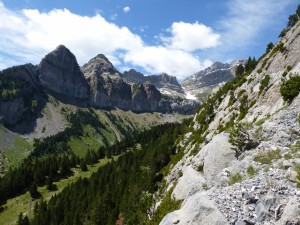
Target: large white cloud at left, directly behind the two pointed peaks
x=30, y=34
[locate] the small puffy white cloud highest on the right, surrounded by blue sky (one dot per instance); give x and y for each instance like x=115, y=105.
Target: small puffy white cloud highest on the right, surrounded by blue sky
x=191, y=37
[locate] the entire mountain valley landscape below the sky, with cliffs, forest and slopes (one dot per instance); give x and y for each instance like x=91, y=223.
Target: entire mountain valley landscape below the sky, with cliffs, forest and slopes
x=91, y=145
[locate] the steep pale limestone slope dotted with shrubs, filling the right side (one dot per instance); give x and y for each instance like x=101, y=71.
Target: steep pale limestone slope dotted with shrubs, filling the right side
x=244, y=189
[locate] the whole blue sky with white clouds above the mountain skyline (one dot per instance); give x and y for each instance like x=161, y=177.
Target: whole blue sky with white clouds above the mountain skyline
x=178, y=37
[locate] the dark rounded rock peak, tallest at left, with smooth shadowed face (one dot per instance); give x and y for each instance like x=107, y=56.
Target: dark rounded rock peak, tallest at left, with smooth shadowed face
x=60, y=73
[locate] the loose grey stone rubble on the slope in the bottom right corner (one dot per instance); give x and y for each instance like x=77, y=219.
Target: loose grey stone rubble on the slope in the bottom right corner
x=259, y=200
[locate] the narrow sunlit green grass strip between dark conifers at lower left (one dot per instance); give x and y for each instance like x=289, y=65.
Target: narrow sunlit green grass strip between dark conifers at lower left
x=24, y=204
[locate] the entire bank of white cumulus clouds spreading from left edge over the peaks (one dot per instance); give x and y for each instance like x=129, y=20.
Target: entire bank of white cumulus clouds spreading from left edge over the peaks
x=27, y=35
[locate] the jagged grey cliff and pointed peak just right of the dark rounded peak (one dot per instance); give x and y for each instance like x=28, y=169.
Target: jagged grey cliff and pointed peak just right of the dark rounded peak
x=110, y=89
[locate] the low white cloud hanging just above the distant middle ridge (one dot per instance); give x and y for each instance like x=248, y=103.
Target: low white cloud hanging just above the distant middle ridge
x=157, y=59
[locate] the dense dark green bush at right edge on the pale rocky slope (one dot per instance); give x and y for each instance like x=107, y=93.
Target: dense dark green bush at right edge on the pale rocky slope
x=289, y=89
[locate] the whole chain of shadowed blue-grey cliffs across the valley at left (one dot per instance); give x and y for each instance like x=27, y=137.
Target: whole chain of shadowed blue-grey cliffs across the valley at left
x=97, y=84
